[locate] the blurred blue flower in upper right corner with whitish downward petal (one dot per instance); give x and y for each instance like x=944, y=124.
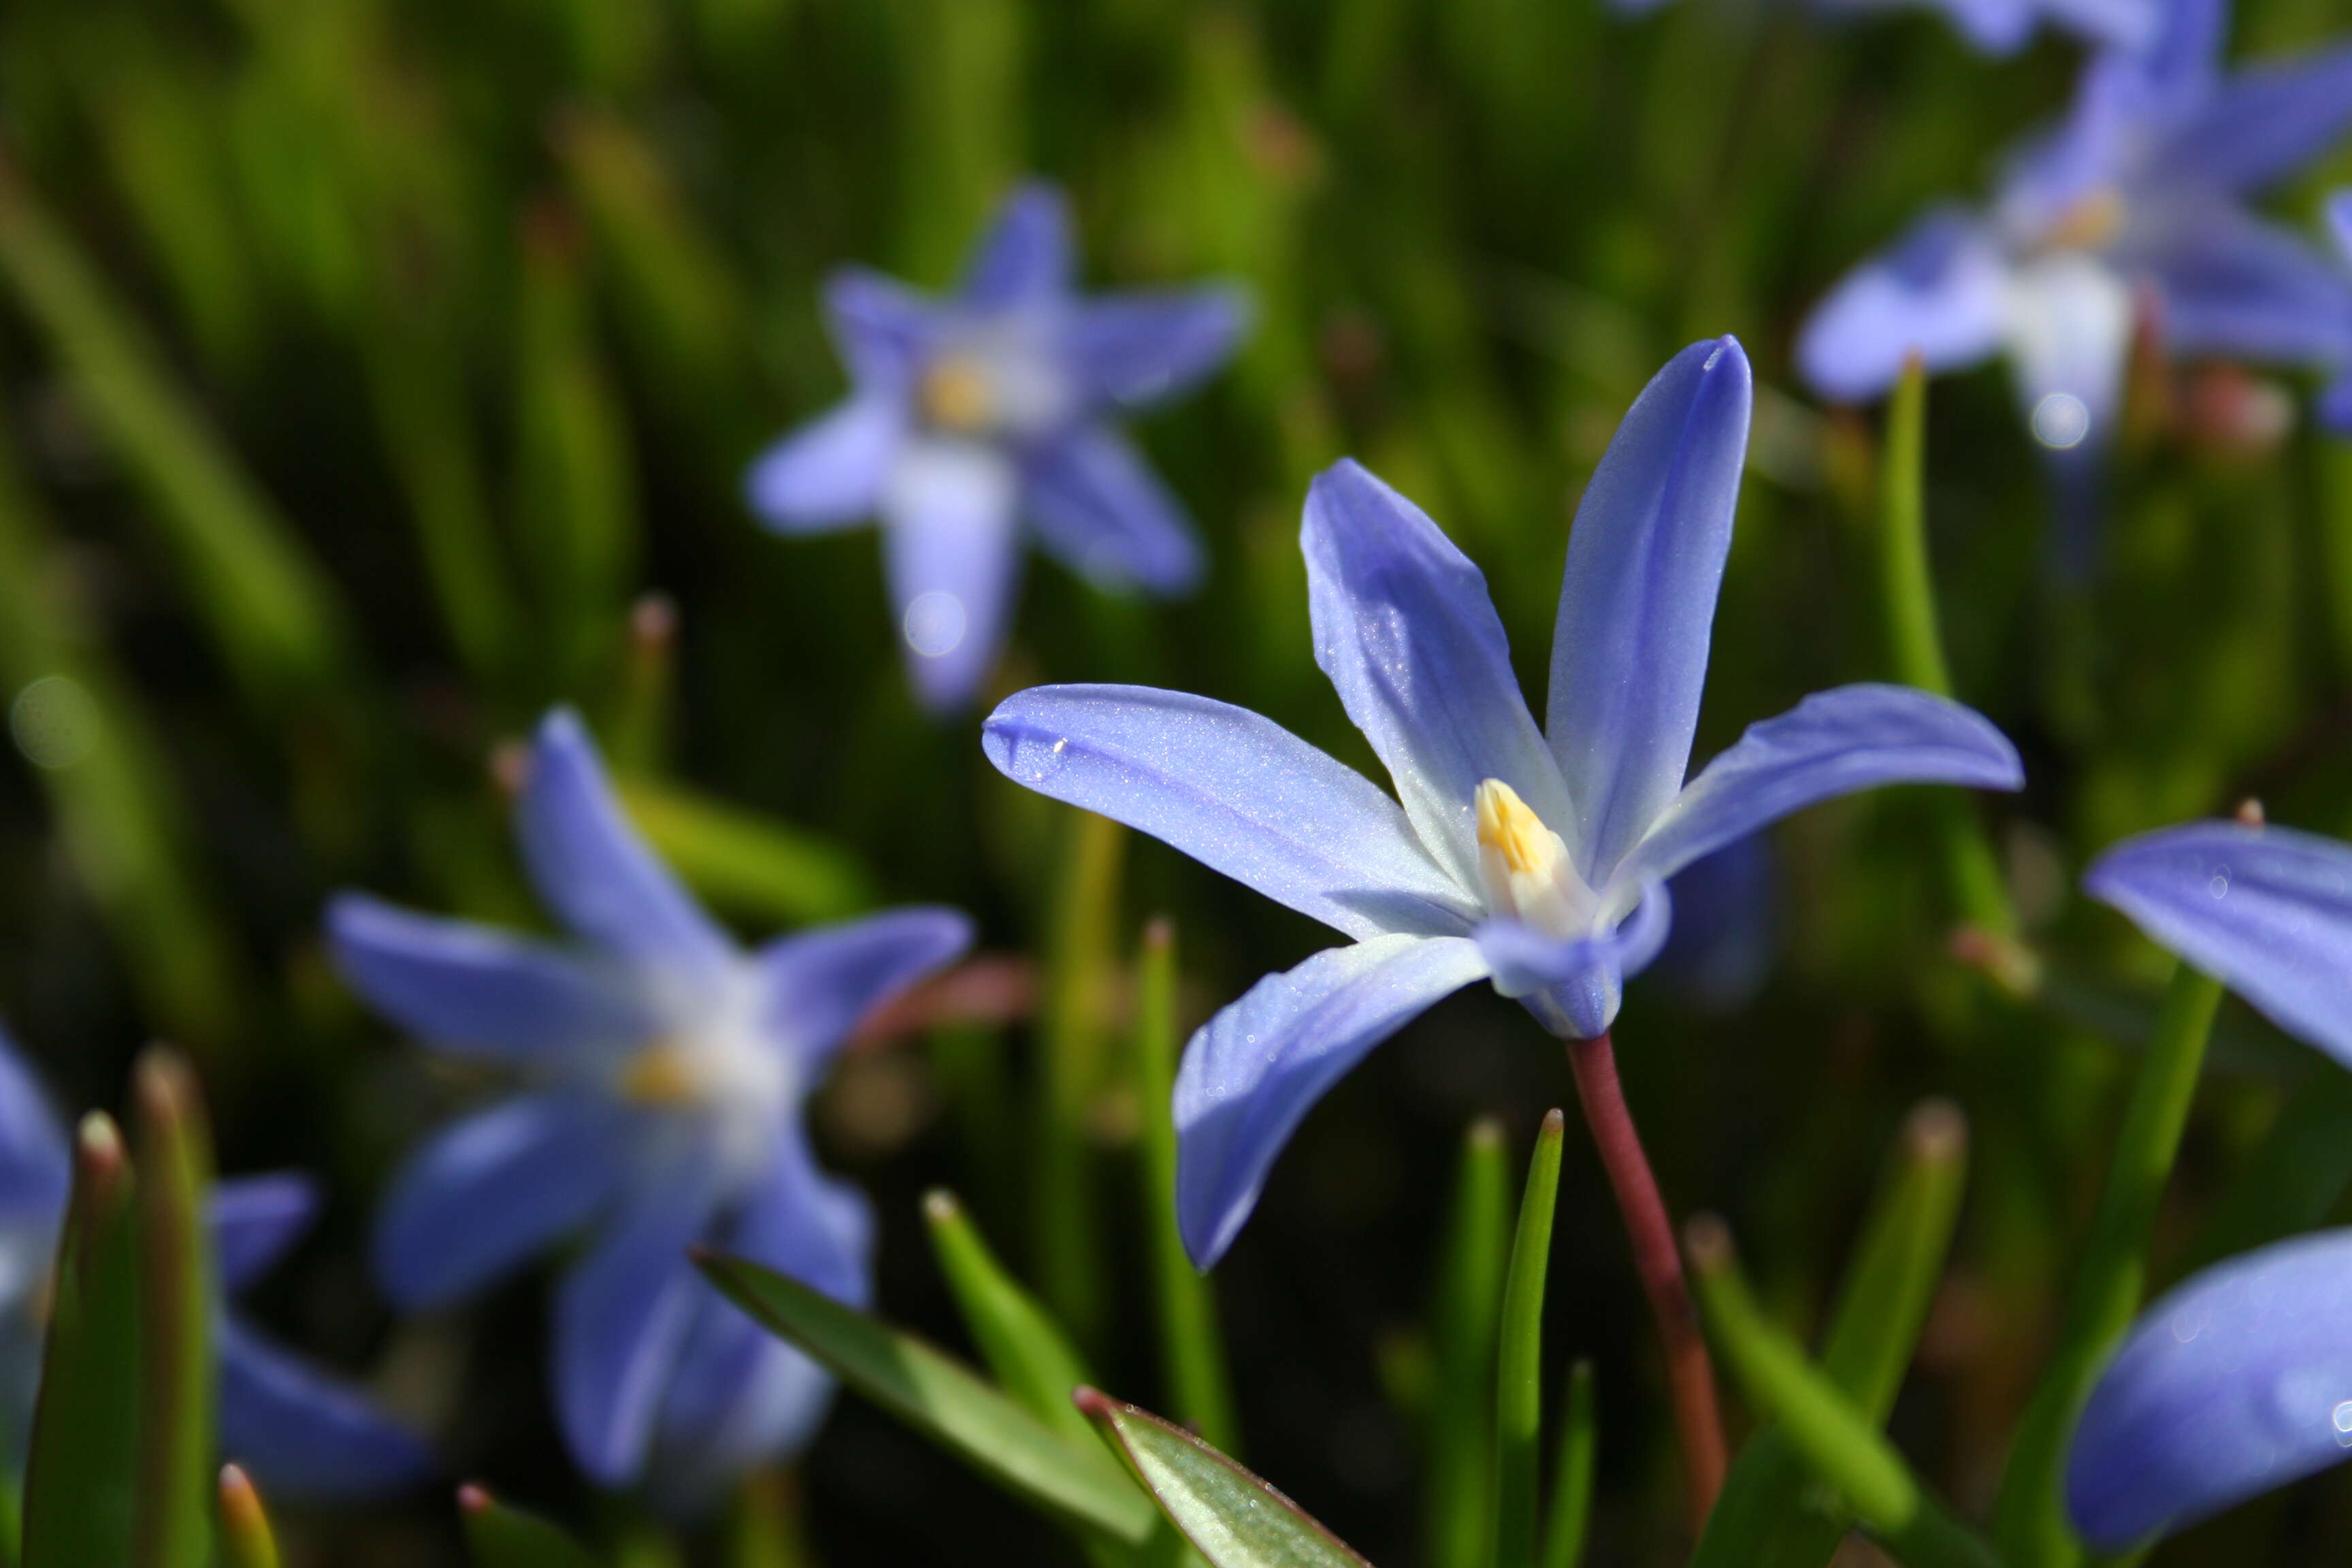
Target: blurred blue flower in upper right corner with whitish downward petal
x=2139, y=194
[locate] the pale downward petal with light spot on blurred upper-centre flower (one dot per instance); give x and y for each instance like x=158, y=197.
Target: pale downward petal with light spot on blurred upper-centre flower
x=954, y=558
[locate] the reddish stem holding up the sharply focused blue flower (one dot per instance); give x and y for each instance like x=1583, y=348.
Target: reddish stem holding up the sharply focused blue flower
x=1688, y=1372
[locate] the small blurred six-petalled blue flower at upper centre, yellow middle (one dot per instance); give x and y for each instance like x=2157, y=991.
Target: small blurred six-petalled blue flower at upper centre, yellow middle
x=989, y=413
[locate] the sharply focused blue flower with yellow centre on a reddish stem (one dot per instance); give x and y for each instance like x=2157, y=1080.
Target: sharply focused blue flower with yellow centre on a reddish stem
x=1506, y=857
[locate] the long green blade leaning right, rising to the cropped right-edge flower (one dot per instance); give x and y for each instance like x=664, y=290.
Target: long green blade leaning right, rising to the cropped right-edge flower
x=2111, y=1278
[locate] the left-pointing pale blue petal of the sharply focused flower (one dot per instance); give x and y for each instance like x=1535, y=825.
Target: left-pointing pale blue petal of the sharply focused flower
x=1234, y=791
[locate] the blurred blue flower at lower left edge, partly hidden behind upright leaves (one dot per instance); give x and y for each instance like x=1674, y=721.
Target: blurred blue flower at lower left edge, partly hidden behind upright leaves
x=298, y=1430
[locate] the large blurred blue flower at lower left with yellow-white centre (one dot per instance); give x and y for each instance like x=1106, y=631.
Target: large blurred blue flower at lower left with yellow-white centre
x=664, y=1078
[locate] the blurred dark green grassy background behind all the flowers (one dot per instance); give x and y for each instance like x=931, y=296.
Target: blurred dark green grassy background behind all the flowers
x=366, y=366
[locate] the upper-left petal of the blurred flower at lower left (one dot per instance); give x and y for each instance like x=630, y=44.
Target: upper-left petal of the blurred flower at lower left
x=476, y=991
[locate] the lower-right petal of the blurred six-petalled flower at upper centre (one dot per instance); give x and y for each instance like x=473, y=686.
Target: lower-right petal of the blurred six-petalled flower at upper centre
x=1102, y=509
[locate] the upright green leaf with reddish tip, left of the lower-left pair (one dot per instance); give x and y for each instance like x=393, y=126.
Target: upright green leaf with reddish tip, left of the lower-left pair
x=86, y=1423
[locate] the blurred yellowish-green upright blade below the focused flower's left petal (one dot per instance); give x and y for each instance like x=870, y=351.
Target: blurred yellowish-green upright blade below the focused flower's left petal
x=1076, y=1071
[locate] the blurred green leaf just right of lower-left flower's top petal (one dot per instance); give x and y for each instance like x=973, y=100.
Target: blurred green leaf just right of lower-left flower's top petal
x=747, y=862
